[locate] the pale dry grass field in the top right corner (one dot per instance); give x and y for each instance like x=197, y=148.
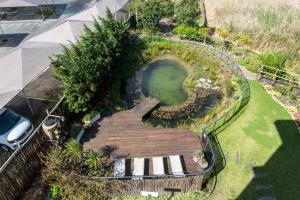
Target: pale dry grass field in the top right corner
x=273, y=24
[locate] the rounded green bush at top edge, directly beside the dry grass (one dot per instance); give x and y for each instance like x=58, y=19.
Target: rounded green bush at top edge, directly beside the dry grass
x=187, y=12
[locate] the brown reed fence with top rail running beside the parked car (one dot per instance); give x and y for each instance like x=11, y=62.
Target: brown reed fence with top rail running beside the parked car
x=23, y=164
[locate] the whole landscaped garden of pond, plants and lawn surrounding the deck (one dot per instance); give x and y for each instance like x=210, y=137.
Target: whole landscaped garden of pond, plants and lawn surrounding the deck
x=114, y=65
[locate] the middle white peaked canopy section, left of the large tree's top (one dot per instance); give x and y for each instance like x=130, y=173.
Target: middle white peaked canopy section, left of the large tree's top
x=68, y=31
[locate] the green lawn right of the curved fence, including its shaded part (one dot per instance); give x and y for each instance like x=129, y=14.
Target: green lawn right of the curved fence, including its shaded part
x=266, y=137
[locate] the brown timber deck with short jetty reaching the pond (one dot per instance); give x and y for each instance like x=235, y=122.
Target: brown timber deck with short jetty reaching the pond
x=126, y=133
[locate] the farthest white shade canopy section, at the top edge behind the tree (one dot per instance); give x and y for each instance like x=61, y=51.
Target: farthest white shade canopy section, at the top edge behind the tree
x=99, y=9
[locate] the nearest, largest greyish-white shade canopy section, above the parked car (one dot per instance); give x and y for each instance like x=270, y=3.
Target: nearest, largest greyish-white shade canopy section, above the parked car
x=20, y=67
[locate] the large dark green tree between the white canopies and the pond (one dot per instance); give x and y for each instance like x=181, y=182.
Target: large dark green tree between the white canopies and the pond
x=104, y=53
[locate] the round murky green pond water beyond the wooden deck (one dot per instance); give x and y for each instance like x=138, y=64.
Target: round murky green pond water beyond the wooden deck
x=163, y=79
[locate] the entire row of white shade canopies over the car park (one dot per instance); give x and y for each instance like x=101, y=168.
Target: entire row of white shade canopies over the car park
x=23, y=65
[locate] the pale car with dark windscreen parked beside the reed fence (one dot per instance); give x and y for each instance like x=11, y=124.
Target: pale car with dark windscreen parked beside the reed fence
x=14, y=129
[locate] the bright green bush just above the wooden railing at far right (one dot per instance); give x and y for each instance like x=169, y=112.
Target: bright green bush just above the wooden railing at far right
x=276, y=59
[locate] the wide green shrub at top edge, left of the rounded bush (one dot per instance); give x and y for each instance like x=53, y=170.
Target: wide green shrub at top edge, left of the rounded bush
x=150, y=12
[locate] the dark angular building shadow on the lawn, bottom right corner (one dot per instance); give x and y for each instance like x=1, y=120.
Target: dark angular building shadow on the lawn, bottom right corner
x=279, y=177
